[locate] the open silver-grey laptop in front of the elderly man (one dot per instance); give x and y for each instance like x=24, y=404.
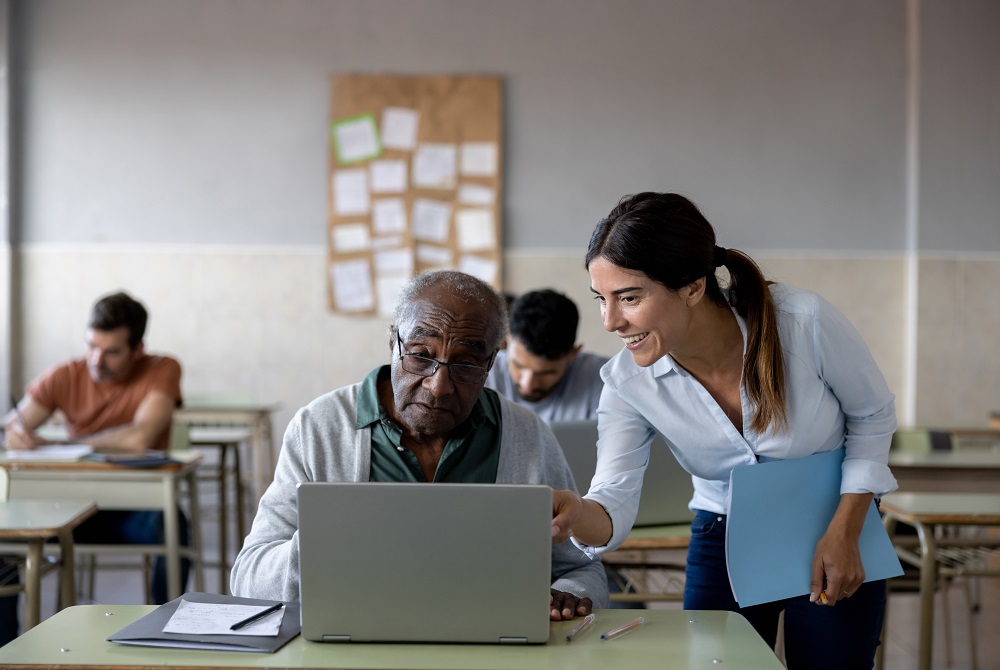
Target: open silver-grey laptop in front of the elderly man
x=395, y=562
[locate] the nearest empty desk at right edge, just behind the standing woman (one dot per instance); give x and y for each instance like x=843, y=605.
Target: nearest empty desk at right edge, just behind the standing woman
x=925, y=512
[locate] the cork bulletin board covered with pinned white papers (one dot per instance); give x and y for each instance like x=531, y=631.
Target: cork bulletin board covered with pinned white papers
x=415, y=184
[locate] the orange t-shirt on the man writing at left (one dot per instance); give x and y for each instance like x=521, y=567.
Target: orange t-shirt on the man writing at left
x=90, y=406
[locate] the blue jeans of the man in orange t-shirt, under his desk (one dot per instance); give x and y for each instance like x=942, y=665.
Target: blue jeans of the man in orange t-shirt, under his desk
x=135, y=527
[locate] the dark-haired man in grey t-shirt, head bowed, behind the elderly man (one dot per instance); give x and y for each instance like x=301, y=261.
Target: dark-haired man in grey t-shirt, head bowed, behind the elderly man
x=543, y=367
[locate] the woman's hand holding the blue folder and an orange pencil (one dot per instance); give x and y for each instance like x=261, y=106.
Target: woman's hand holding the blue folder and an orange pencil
x=837, y=571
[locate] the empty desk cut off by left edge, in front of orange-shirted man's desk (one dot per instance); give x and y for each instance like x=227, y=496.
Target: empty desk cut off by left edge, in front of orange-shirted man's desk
x=34, y=522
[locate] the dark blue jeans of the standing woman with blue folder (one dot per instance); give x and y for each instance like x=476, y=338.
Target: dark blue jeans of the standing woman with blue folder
x=843, y=637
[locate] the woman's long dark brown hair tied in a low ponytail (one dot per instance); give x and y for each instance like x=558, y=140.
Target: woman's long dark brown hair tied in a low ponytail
x=666, y=237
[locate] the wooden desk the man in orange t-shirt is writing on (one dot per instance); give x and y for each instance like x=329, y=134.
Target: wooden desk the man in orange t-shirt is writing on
x=116, y=487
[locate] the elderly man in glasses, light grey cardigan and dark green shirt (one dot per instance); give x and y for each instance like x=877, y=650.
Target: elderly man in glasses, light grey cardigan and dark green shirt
x=424, y=418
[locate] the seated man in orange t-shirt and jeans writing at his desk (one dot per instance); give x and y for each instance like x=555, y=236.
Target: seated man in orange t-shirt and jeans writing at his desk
x=117, y=398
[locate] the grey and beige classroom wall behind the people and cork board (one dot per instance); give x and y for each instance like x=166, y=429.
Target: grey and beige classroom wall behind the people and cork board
x=178, y=148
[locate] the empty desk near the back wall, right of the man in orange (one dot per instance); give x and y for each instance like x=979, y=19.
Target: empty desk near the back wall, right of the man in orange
x=255, y=415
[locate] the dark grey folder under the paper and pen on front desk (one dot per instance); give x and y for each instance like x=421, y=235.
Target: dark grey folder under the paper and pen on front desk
x=148, y=631
